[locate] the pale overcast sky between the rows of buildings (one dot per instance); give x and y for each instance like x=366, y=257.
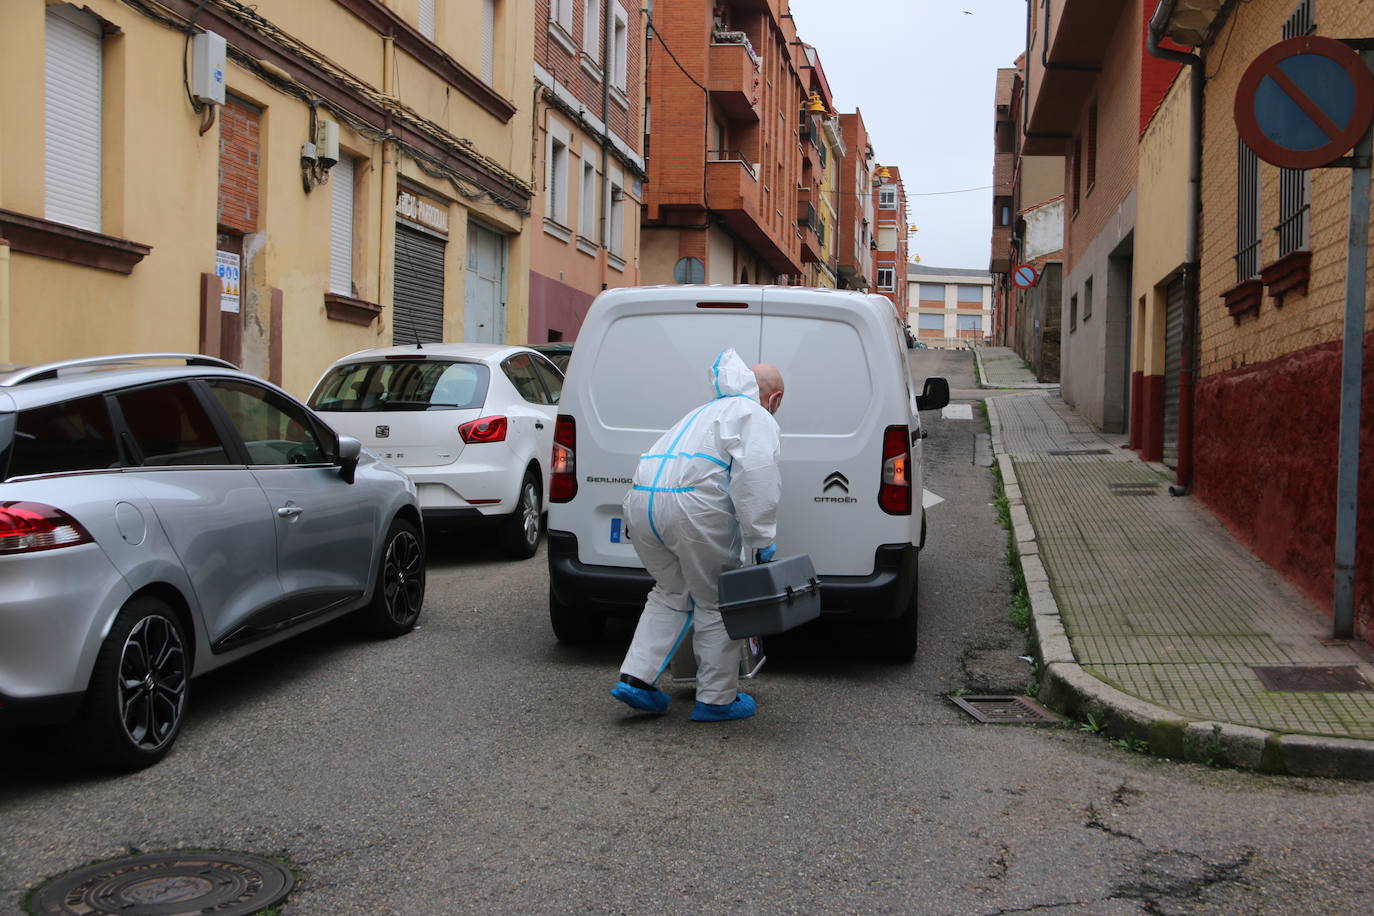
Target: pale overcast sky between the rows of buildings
x=924, y=73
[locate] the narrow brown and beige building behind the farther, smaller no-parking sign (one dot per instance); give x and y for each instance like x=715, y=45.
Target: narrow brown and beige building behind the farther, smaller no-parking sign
x=1027, y=229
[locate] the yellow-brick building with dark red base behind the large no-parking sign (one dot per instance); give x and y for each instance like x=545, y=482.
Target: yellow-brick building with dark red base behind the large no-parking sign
x=1270, y=317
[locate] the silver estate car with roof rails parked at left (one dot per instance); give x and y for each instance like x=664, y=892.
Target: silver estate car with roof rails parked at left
x=161, y=521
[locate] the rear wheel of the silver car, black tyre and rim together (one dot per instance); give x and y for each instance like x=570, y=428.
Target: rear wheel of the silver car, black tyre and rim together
x=138, y=697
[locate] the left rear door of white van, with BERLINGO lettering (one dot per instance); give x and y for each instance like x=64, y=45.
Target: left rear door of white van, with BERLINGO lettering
x=644, y=362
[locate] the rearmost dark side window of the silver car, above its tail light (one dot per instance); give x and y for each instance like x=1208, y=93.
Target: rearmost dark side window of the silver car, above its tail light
x=75, y=436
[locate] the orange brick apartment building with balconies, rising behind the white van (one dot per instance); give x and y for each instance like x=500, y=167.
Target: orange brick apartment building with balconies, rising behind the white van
x=726, y=148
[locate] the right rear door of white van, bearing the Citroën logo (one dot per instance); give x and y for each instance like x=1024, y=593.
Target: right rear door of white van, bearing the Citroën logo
x=843, y=389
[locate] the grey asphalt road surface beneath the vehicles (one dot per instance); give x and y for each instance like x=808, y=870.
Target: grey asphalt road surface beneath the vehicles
x=477, y=767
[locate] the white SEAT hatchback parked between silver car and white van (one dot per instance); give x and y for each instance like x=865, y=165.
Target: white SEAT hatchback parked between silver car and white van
x=472, y=425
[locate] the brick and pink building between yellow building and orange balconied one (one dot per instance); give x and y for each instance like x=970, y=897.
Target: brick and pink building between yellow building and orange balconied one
x=589, y=159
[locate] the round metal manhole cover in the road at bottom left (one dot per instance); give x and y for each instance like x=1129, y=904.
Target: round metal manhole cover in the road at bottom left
x=161, y=885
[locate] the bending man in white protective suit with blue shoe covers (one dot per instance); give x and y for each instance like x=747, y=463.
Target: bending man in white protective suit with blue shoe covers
x=704, y=499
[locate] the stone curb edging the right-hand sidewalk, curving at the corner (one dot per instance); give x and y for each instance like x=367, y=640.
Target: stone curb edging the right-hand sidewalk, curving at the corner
x=1072, y=690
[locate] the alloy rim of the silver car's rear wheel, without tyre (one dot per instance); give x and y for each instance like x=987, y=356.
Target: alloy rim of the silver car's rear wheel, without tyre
x=153, y=682
